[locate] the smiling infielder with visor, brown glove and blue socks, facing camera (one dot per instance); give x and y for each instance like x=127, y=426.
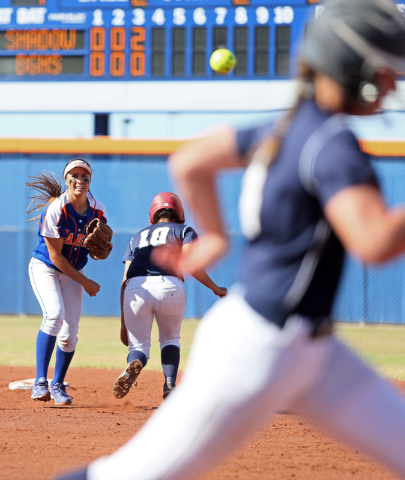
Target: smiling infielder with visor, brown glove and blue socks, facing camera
x=56, y=271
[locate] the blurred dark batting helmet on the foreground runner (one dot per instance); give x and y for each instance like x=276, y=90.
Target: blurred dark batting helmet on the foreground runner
x=353, y=39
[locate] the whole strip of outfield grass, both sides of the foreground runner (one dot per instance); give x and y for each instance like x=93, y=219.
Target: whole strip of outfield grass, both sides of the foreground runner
x=99, y=345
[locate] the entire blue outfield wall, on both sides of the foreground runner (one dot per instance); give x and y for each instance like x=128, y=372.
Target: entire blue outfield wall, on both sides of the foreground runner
x=126, y=185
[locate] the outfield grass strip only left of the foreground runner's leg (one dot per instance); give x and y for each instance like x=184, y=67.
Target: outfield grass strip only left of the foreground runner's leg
x=99, y=344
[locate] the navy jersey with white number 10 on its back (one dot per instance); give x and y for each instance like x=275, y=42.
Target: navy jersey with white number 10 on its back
x=140, y=247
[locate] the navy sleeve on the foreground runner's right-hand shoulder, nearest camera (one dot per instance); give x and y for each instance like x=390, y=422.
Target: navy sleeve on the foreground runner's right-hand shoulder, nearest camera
x=341, y=164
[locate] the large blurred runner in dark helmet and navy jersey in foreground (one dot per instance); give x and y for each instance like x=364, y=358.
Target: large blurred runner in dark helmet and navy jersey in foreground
x=308, y=194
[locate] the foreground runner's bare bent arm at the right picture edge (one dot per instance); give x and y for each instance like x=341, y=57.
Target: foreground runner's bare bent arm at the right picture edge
x=364, y=224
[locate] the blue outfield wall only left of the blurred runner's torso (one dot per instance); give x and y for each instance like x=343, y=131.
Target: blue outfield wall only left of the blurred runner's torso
x=126, y=185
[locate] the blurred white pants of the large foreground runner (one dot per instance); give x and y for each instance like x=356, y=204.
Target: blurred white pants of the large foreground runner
x=259, y=370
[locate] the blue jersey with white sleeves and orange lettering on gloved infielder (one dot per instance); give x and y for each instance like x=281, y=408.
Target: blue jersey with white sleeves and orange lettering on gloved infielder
x=60, y=220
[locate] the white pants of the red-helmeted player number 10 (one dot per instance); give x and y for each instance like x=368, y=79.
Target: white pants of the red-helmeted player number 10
x=144, y=297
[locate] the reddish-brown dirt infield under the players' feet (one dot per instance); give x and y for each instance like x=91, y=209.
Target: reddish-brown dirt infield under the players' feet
x=38, y=440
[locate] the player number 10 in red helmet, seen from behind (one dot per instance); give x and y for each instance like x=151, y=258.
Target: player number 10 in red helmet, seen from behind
x=149, y=290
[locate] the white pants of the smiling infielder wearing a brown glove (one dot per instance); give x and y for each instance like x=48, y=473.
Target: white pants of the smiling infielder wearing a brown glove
x=60, y=299
